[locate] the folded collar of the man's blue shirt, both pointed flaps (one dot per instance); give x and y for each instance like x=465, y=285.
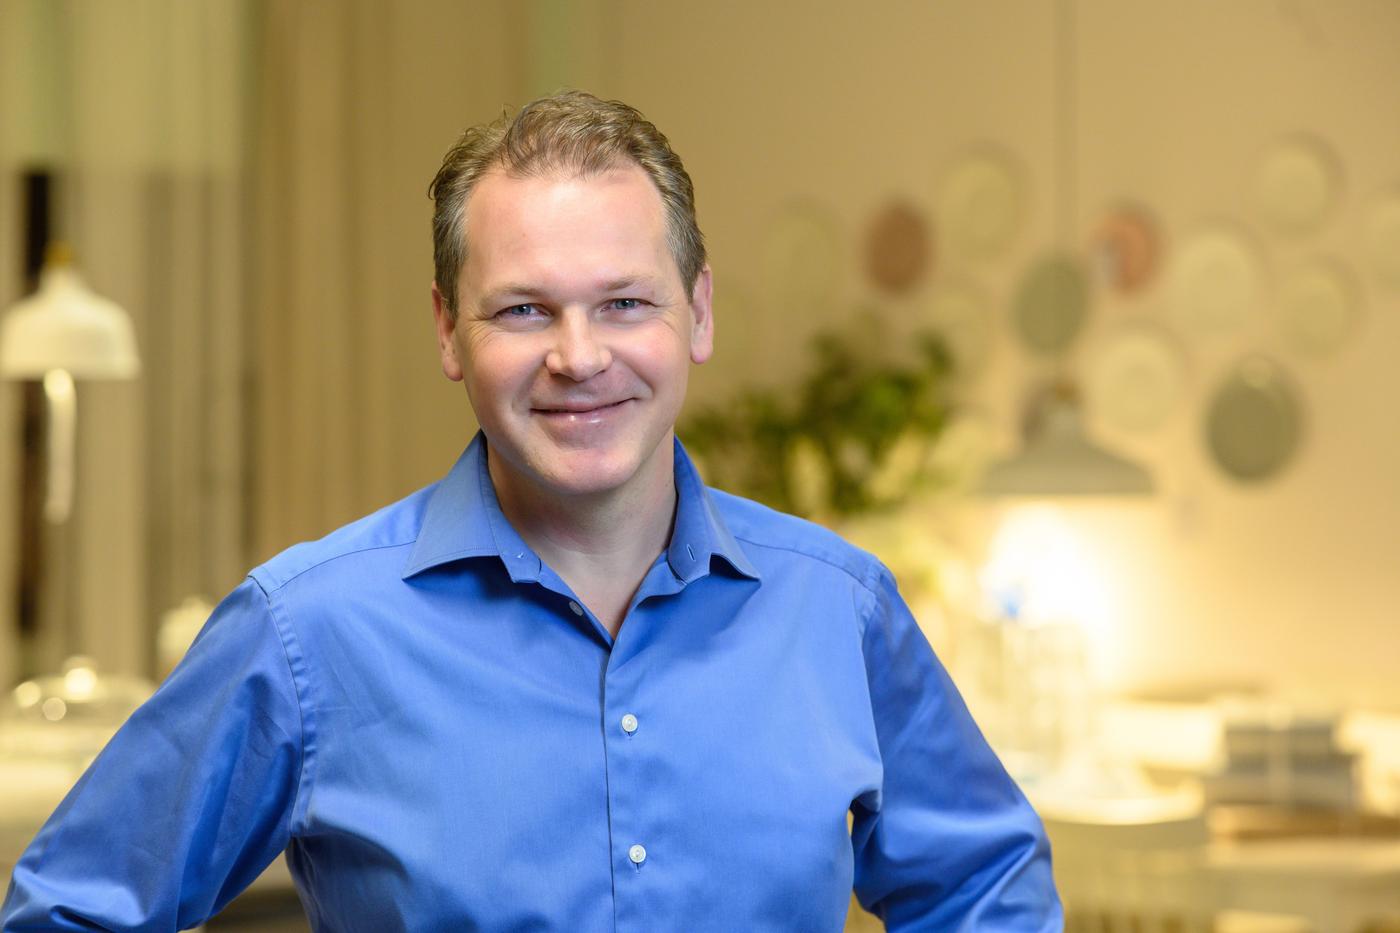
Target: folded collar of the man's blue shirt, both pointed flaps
x=464, y=519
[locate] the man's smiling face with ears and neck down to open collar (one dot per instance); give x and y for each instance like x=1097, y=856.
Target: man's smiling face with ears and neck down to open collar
x=575, y=331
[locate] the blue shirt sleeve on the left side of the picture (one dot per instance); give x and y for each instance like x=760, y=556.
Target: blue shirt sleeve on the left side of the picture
x=188, y=803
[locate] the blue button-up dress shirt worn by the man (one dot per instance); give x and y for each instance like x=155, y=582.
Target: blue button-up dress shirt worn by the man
x=442, y=738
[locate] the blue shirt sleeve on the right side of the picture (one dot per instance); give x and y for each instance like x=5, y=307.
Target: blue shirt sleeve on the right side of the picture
x=948, y=843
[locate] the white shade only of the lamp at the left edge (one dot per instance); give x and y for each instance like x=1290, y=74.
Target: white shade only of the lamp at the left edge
x=65, y=326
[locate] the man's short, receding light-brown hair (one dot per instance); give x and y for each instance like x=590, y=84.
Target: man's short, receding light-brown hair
x=566, y=132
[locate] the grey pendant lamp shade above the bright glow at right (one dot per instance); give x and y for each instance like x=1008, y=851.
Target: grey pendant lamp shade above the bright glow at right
x=1059, y=459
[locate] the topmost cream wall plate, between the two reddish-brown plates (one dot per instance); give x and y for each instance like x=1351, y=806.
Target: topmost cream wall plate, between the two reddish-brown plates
x=981, y=205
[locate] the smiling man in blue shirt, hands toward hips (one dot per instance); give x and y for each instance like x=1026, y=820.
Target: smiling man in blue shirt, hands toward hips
x=566, y=689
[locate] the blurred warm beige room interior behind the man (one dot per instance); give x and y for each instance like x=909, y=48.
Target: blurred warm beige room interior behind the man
x=1083, y=315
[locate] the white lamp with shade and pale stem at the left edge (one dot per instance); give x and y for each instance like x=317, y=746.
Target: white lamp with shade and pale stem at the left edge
x=62, y=333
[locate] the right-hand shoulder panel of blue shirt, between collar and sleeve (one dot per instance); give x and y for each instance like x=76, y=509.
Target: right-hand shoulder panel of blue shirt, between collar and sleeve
x=771, y=536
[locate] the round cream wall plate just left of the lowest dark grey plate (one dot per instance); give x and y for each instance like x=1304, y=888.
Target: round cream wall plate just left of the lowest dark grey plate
x=1135, y=379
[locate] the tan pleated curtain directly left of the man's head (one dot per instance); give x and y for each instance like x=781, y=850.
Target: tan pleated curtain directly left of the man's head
x=359, y=102
